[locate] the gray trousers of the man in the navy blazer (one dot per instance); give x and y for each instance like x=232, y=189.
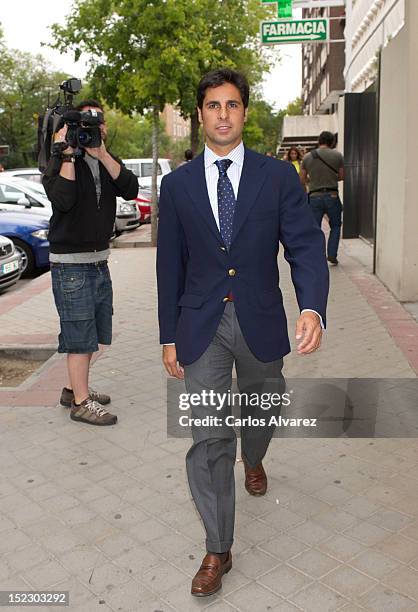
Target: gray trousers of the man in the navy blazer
x=210, y=461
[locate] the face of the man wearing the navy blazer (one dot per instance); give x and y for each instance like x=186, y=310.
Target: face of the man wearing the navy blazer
x=223, y=116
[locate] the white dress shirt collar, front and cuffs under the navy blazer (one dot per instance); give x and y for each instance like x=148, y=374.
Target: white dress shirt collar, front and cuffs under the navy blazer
x=234, y=175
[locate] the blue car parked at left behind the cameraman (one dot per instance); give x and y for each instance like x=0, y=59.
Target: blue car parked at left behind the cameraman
x=29, y=232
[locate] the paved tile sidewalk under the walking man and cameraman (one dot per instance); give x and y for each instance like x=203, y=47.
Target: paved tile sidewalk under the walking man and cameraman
x=106, y=513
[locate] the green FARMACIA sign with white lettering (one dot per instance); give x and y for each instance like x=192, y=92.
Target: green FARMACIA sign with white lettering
x=285, y=31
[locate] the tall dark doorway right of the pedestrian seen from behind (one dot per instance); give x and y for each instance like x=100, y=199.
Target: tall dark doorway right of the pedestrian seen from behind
x=360, y=164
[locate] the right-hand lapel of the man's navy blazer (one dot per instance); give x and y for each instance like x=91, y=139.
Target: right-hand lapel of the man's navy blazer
x=252, y=178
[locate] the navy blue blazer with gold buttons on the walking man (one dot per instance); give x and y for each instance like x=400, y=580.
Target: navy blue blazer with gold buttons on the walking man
x=193, y=265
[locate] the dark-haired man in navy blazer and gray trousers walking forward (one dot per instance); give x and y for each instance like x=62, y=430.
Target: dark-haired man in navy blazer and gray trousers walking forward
x=222, y=217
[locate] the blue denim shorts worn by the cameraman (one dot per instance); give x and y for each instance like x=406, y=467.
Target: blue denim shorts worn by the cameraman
x=83, y=297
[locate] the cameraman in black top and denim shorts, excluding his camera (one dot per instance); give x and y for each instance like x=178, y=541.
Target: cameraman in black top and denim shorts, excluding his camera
x=83, y=192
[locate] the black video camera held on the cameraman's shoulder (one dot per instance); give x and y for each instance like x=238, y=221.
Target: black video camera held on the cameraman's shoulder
x=83, y=127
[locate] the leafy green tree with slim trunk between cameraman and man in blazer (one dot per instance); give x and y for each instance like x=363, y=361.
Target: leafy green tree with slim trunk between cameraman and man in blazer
x=140, y=51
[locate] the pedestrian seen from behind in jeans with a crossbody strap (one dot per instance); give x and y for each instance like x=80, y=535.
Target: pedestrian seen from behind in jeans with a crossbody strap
x=320, y=173
